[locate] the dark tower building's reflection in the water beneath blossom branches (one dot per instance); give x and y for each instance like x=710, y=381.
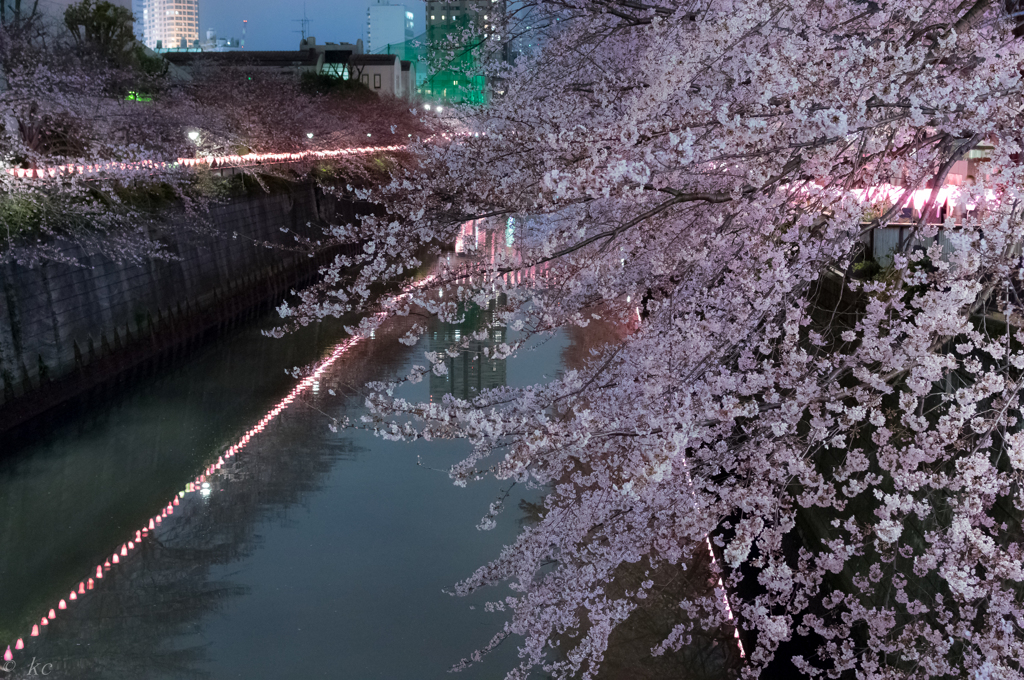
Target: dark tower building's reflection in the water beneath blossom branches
x=471, y=372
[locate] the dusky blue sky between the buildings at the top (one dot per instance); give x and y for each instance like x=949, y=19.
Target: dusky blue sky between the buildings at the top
x=274, y=24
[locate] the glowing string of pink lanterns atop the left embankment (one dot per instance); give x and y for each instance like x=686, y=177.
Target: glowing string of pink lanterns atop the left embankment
x=214, y=162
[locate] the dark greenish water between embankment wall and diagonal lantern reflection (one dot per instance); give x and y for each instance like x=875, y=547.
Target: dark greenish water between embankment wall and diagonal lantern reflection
x=91, y=481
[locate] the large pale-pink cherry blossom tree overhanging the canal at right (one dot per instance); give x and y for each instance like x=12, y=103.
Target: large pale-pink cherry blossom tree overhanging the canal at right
x=695, y=171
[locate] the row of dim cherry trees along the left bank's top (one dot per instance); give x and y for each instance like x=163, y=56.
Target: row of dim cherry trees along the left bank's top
x=71, y=102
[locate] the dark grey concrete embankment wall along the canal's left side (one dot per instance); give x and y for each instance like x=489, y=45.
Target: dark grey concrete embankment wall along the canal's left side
x=65, y=329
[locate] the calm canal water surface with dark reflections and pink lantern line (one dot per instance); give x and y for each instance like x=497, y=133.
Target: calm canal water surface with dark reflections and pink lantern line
x=308, y=555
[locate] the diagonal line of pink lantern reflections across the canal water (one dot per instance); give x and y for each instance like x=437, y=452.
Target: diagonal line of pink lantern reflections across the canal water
x=201, y=484
